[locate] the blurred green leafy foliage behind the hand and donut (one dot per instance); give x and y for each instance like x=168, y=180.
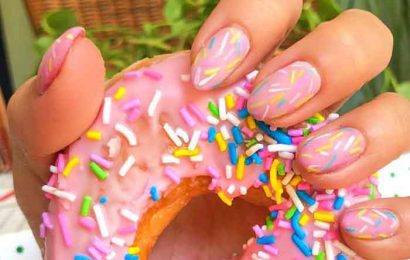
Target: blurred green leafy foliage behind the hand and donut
x=120, y=46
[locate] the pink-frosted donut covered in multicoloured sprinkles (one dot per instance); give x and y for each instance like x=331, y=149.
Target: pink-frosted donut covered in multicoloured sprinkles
x=157, y=142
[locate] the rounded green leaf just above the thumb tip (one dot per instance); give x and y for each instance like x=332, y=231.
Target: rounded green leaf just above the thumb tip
x=57, y=22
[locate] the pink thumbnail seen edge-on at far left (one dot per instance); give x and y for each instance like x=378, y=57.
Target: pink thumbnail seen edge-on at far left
x=54, y=58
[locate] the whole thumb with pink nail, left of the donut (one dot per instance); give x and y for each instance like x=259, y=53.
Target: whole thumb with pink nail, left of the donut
x=53, y=109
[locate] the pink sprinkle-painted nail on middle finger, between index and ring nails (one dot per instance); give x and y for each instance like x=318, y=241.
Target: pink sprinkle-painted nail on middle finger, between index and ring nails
x=284, y=91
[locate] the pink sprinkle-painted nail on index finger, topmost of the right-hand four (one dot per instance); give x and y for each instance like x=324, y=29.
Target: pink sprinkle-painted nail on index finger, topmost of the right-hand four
x=219, y=57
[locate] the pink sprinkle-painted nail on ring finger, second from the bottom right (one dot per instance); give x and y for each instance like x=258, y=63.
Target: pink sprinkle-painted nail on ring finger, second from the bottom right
x=332, y=150
